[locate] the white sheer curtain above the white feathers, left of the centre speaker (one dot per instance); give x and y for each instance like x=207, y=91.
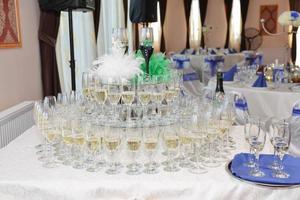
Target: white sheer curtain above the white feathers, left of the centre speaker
x=112, y=15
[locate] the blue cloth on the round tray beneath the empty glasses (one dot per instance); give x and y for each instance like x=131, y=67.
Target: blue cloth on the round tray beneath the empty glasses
x=291, y=166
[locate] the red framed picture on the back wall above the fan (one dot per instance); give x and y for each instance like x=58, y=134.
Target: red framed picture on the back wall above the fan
x=270, y=14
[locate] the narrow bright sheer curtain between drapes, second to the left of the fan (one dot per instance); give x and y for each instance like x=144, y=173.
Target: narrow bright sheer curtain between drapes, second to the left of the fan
x=195, y=25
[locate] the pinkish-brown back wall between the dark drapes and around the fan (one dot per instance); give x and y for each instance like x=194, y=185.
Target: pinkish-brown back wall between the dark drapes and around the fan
x=175, y=27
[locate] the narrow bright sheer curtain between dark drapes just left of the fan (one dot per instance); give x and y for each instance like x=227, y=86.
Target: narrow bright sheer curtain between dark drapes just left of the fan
x=235, y=29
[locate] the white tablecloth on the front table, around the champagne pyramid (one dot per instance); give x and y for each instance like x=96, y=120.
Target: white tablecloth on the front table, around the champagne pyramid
x=23, y=177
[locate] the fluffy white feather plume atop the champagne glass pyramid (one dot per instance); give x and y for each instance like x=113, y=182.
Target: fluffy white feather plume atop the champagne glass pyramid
x=117, y=66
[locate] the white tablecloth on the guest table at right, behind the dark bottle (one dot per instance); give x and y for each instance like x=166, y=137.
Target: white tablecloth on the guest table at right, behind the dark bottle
x=265, y=102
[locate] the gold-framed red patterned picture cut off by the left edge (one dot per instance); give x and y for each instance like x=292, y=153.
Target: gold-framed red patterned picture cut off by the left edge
x=10, y=34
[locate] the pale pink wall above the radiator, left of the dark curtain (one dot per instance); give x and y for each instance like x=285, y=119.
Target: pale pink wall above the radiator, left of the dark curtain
x=20, y=73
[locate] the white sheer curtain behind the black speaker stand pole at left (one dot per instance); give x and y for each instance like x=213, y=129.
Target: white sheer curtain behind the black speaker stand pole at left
x=84, y=45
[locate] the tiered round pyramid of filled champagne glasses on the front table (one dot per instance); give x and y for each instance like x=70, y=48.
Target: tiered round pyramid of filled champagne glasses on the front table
x=132, y=127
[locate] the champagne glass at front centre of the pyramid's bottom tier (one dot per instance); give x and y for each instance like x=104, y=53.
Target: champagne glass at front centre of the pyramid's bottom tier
x=133, y=141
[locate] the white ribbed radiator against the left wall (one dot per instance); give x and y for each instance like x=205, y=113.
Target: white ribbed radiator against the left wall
x=14, y=121
